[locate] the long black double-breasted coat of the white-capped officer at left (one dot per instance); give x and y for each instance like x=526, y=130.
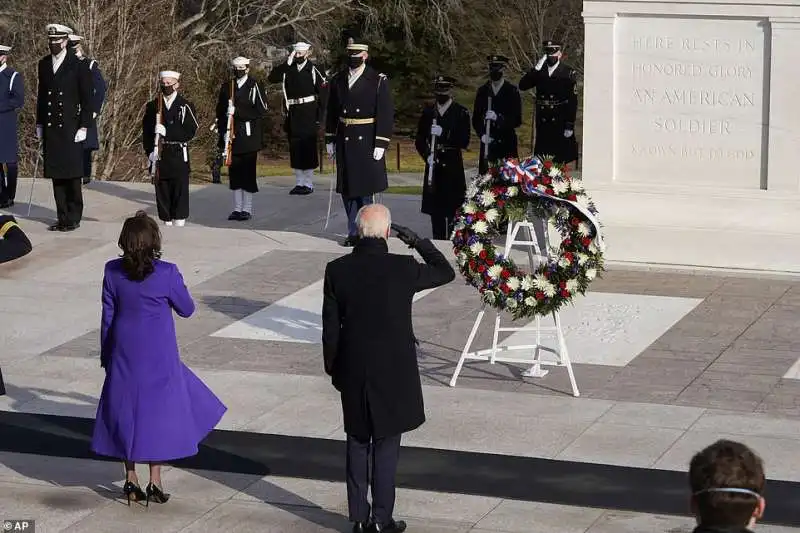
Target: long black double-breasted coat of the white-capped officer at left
x=63, y=106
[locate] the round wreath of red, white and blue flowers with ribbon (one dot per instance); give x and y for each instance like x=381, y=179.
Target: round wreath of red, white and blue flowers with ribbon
x=514, y=191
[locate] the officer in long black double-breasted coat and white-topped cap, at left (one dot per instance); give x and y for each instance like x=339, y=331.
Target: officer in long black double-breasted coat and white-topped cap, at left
x=63, y=118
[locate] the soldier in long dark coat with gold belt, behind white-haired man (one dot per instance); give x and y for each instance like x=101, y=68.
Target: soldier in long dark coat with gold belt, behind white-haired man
x=359, y=125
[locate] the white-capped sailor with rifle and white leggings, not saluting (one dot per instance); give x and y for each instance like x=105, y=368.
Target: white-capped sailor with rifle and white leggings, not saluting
x=246, y=110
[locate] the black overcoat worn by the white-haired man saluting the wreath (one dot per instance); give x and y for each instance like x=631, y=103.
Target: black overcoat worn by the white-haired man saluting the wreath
x=367, y=335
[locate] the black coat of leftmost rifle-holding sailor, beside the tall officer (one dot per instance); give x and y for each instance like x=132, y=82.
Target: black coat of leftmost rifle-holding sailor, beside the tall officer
x=181, y=125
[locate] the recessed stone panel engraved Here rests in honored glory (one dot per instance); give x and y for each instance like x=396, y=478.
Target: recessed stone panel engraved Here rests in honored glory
x=689, y=91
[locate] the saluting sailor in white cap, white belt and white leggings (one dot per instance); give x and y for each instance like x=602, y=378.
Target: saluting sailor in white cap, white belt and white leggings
x=303, y=84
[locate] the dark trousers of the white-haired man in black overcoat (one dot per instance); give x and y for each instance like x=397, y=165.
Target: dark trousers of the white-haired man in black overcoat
x=378, y=456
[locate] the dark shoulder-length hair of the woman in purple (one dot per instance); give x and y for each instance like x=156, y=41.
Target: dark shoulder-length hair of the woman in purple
x=140, y=241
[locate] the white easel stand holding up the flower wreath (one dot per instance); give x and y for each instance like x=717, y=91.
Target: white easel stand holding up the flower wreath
x=493, y=354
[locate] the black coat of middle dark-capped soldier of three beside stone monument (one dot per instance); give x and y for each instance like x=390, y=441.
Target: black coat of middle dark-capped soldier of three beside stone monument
x=507, y=104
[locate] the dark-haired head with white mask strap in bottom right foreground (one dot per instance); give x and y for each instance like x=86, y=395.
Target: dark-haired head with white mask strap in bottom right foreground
x=727, y=481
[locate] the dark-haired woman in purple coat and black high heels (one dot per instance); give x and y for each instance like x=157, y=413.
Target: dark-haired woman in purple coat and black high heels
x=152, y=408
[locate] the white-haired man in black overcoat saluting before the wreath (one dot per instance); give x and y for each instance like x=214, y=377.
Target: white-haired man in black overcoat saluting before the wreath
x=369, y=349
